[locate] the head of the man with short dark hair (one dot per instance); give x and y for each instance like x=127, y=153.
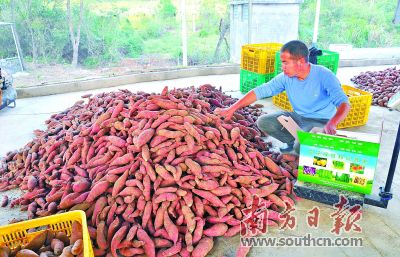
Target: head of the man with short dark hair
x=294, y=57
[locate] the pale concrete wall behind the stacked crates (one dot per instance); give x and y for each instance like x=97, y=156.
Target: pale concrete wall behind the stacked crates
x=272, y=21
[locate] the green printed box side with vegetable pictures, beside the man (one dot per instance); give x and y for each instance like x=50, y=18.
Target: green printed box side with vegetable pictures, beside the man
x=340, y=162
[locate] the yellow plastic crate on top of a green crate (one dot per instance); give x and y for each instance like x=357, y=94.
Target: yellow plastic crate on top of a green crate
x=259, y=58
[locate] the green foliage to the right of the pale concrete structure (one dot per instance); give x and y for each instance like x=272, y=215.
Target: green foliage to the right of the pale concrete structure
x=363, y=23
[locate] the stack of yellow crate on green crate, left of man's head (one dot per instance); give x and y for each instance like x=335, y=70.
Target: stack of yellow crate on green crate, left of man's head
x=257, y=64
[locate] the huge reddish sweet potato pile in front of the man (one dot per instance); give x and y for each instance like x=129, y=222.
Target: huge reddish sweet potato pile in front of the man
x=156, y=174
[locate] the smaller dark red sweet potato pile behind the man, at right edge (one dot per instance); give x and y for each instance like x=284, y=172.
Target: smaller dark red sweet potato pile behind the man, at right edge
x=382, y=84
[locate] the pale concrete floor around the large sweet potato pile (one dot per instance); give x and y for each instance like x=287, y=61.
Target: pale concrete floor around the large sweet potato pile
x=380, y=227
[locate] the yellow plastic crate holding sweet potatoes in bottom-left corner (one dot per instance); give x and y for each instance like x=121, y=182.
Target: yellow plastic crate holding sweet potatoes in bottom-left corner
x=17, y=234
